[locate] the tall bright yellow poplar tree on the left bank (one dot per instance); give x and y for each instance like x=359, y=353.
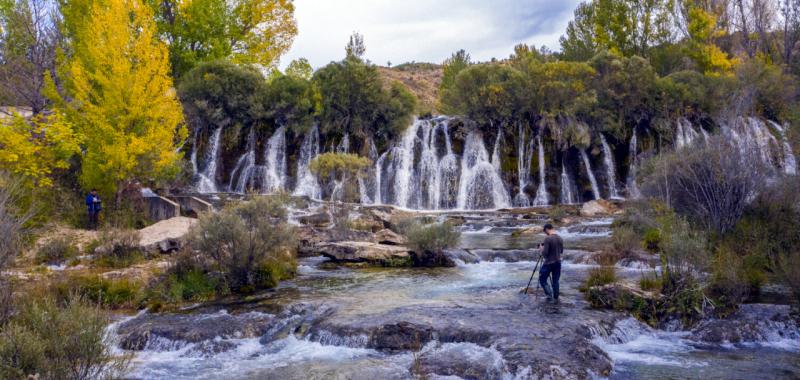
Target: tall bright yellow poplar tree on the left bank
x=119, y=95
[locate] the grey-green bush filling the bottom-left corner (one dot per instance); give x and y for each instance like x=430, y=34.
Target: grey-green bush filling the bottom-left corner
x=58, y=342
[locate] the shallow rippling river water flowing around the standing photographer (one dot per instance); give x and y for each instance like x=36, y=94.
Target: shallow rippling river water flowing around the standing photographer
x=469, y=321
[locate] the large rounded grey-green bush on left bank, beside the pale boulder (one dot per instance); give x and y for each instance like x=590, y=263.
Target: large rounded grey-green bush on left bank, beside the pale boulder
x=250, y=244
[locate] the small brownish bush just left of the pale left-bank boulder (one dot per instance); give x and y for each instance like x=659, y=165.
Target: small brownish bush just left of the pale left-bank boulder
x=119, y=248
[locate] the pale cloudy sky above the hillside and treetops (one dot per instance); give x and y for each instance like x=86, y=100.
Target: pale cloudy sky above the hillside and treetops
x=425, y=30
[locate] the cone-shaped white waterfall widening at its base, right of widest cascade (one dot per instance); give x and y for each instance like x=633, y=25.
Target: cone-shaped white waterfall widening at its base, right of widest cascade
x=480, y=186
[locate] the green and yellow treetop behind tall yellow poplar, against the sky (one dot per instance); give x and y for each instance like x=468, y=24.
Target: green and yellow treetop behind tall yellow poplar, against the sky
x=243, y=31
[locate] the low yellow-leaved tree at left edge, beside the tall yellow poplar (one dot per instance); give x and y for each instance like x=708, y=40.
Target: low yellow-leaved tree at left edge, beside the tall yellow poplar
x=37, y=147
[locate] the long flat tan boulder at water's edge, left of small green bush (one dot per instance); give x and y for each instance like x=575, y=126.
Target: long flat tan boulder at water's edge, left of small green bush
x=366, y=252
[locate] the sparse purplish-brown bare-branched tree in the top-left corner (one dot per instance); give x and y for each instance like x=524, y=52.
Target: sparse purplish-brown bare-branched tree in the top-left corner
x=28, y=42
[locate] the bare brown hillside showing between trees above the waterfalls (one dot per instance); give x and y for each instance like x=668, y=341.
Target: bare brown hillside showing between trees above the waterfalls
x=422, y=79
